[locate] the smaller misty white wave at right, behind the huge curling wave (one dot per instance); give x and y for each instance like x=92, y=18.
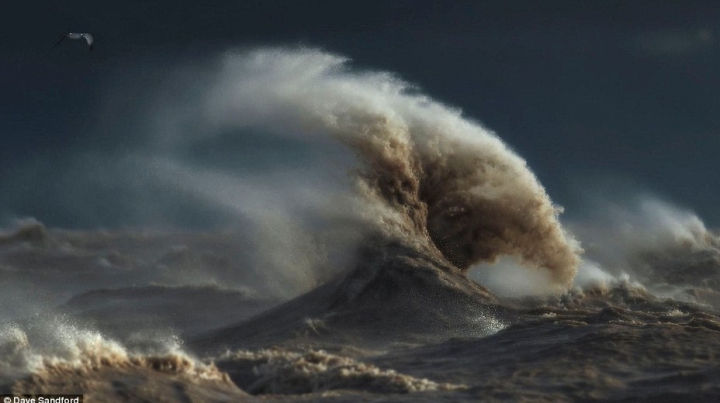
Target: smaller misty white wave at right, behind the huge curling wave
x=652, y=241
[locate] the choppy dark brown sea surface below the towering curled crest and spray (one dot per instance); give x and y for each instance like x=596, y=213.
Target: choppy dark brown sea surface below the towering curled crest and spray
x=112, y=315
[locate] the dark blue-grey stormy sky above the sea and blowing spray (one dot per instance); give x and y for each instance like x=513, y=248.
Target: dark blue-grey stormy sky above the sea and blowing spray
x=587, y=91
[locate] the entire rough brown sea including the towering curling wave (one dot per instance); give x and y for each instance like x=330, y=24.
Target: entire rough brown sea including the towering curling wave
x=439, y=271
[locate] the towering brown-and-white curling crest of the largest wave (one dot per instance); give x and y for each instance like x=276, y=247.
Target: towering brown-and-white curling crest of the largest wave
x=428, y=175
